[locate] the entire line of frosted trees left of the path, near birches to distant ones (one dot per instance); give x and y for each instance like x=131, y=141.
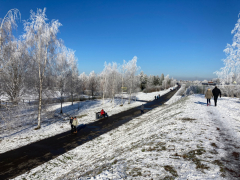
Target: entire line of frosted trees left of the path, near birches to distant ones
x=39, y=63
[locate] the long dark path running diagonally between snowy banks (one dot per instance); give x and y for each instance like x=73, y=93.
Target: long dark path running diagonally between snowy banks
x=18, y=161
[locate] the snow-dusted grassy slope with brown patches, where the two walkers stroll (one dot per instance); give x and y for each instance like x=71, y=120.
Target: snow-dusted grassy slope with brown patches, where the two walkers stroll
x=183, y=140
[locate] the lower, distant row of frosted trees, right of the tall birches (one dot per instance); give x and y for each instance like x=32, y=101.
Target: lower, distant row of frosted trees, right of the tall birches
x=122, y=78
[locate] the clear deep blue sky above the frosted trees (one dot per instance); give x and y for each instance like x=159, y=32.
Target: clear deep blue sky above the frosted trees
x=184, y=39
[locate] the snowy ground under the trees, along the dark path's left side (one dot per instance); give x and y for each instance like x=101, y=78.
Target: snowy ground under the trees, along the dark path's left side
x=25, y=134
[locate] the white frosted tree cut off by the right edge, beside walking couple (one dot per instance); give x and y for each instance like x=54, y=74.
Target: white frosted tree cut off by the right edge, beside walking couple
x=231, y=71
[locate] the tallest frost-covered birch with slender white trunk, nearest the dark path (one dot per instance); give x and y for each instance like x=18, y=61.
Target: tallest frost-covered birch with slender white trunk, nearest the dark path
x=41, y=38
